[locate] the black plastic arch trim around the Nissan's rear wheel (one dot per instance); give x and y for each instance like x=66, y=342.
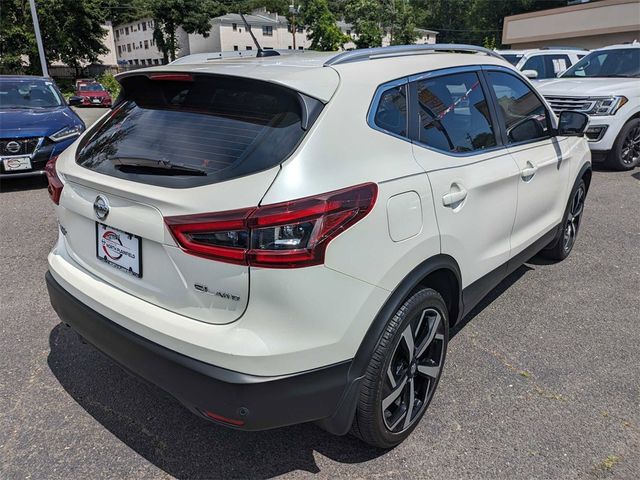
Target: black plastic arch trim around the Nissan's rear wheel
x=340, y=422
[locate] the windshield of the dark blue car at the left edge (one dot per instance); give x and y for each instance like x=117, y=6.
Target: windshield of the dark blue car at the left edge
x=28, y=93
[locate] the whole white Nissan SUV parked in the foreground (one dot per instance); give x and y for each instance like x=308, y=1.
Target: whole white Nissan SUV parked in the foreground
x=289, y=239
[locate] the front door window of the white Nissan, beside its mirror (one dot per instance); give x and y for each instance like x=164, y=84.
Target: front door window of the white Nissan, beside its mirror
x=523, y=114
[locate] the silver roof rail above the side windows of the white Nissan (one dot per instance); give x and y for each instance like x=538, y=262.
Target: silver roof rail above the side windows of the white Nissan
x=402, y=50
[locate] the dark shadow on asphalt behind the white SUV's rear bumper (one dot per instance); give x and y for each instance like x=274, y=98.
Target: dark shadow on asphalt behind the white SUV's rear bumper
x=168, y=435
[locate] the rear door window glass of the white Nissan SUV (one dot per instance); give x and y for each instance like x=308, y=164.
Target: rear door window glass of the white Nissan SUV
x=453, y=114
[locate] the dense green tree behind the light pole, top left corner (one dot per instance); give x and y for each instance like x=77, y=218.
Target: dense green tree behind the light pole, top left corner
x=71, y=33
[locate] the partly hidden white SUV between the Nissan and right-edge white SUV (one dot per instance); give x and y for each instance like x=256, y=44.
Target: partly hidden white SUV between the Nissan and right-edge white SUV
x=541, y=63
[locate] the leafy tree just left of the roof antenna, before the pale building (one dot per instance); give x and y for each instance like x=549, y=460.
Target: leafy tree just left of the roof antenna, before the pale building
x=192, y=15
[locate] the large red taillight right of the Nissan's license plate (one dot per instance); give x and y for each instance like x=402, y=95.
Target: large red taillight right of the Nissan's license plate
x=284, y=235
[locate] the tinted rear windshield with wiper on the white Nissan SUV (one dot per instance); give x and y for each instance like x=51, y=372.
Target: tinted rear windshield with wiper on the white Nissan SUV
x=184, y=131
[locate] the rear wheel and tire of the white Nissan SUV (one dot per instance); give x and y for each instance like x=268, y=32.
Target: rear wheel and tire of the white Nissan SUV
x=407, y=361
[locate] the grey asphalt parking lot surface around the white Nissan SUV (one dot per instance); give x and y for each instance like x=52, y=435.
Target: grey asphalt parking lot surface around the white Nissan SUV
x=543, y=381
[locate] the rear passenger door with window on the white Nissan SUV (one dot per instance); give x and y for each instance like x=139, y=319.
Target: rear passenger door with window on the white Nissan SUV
x=473, y=180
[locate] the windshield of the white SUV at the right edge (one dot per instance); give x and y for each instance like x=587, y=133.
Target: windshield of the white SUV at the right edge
x=624, y=63
